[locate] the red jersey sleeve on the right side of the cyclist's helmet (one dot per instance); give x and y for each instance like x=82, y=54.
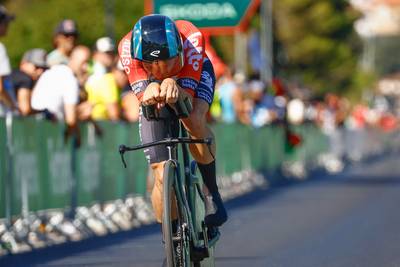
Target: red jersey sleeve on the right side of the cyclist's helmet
x=194, y=53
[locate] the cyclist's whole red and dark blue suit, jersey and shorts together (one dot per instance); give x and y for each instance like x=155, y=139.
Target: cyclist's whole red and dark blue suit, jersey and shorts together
x=196, y=77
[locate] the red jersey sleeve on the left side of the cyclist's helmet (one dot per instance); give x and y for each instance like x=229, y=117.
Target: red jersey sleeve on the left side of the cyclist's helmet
x=137, y=76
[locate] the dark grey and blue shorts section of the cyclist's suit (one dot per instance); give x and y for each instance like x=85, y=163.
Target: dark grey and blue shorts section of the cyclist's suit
x=151, y=131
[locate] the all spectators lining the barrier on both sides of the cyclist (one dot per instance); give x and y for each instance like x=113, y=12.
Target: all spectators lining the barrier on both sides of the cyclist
x=78, y=83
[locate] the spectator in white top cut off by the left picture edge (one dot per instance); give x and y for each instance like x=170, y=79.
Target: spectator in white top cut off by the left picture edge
x=5, y=68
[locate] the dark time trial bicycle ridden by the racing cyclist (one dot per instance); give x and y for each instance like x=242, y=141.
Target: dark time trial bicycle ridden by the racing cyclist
x=190, y=242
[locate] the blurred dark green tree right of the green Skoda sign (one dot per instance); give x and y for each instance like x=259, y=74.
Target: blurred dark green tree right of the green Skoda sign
x=316, y=43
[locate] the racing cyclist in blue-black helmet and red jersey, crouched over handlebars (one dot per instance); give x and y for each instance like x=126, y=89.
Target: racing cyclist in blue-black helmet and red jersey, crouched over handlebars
x=164, y=61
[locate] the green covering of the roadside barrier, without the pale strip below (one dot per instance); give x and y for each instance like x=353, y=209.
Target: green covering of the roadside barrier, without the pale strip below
x=42, y=171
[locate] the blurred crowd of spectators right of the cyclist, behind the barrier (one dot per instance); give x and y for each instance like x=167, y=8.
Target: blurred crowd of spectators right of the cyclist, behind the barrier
x=253, y=102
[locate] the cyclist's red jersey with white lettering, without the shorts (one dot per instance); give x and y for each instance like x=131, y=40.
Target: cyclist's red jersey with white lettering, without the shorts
x=189, y=76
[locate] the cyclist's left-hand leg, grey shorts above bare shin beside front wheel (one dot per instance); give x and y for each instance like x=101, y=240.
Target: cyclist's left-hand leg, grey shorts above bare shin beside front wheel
x=151, y=131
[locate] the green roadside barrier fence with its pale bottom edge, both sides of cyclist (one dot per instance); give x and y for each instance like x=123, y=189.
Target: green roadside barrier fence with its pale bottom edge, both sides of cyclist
x=43, y=176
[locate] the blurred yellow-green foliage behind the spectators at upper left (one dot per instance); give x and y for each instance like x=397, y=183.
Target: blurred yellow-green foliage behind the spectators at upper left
x=35, y=22
